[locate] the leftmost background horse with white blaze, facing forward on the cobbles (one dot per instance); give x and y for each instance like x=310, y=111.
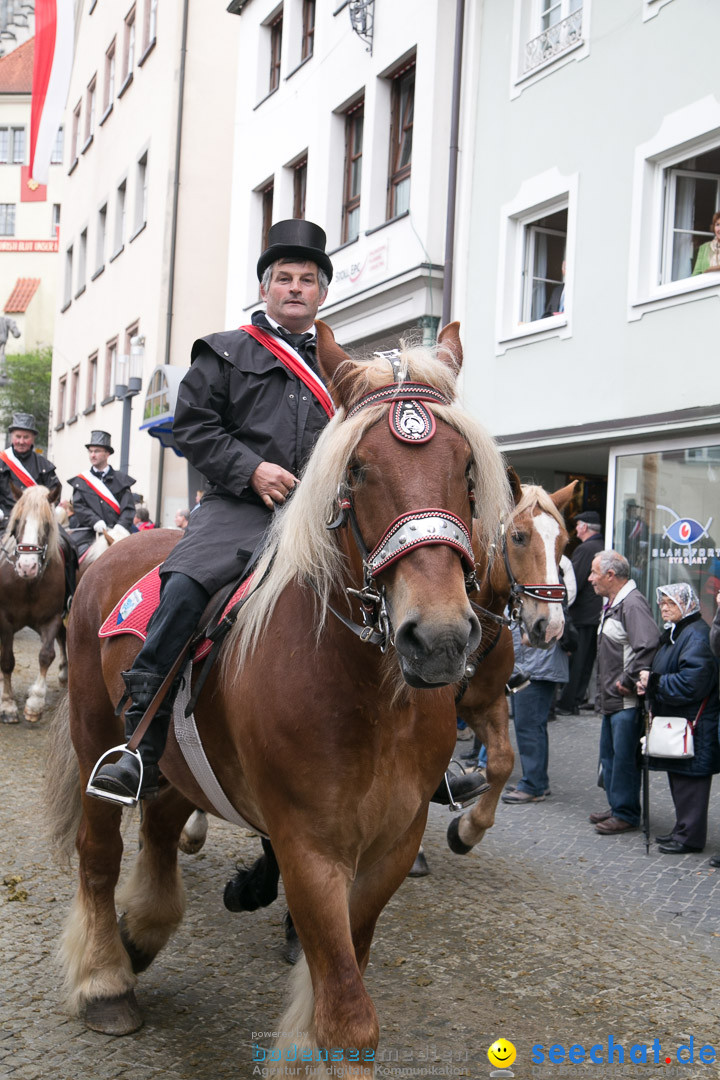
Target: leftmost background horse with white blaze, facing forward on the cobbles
x=32, y=593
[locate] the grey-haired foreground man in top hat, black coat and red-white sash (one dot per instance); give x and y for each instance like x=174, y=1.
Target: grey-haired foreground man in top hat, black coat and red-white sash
x=249, y=414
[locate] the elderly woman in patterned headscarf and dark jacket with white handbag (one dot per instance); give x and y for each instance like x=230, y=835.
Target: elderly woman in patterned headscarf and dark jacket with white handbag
x=684, y=683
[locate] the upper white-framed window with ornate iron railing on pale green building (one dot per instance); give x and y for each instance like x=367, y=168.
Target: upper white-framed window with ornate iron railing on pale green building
x=546, y=32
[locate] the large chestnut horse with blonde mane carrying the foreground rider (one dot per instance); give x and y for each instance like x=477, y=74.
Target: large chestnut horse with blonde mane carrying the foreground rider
x=323, y=742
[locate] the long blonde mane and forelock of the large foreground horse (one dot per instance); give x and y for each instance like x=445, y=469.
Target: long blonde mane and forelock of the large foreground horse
x=298, y=544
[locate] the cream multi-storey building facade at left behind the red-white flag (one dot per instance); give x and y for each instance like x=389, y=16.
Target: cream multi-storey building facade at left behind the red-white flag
x=144, y=238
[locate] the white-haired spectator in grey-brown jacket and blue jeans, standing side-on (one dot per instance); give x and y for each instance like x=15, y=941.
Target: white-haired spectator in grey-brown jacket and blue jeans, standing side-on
x=628, y=641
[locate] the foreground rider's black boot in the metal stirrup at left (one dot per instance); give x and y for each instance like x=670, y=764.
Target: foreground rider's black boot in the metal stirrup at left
x=124, y=777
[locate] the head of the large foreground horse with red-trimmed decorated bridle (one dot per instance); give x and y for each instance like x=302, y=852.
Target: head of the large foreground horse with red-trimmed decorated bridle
x=415, y=467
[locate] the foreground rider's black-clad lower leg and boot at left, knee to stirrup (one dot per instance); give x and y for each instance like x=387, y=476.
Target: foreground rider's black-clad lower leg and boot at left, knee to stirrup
x=182, y=604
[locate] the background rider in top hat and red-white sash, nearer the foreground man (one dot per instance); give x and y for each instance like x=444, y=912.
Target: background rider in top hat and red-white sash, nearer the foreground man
x=102, y=497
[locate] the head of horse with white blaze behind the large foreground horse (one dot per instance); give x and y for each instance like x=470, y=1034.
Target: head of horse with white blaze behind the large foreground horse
x=535, y=541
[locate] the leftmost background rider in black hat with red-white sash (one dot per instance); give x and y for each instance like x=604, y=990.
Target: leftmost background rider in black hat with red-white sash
x=22, y=467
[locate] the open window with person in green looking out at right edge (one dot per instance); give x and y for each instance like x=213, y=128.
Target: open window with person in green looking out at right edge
x=691, y=200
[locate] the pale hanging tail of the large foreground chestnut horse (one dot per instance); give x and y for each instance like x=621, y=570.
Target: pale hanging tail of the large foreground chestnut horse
x=63, y=796
